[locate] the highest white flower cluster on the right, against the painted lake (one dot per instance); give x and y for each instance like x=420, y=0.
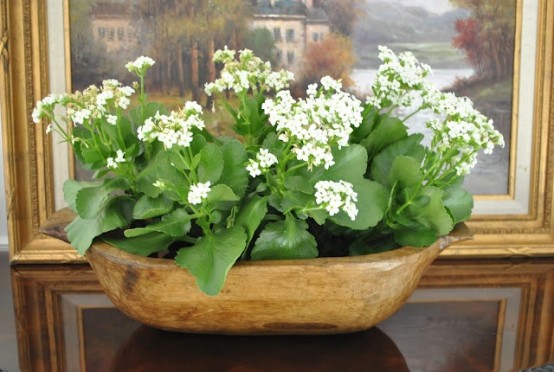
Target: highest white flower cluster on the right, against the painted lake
x=399, y=80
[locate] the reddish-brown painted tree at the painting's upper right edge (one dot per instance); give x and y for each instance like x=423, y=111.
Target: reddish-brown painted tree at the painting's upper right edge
x=487, y=36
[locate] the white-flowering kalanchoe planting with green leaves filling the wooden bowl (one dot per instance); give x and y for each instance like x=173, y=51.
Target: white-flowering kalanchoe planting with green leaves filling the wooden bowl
x=325, y=175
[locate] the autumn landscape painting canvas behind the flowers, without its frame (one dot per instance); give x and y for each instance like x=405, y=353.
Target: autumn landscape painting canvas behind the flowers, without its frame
x=469, y=44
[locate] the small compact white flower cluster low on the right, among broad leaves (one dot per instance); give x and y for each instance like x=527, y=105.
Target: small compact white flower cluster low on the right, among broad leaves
x=334, y=196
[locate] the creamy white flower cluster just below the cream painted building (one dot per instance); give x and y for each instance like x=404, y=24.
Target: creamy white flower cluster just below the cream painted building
x=249, y=72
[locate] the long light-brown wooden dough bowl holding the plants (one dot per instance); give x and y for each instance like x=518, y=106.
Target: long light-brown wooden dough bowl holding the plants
x=311, y=296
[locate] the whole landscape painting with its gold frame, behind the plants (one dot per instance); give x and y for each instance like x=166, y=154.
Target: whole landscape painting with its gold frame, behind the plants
x=62, y=45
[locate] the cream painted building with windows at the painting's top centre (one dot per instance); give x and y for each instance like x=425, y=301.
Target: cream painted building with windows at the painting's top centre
x=294, y=24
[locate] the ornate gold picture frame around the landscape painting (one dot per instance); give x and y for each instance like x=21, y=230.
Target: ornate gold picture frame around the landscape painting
x=28, y=152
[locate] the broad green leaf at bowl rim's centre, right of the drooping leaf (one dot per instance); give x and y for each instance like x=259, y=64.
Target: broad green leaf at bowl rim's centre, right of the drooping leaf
x=285, y=239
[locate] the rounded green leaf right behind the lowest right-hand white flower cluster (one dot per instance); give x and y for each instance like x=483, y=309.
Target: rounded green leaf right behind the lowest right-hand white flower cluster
x=371, y=204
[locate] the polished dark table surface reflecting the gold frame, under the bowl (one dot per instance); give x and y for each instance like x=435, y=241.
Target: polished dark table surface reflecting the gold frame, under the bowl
x=464, y=316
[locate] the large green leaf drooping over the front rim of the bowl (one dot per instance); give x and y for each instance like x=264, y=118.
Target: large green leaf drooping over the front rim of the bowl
x=211, y=258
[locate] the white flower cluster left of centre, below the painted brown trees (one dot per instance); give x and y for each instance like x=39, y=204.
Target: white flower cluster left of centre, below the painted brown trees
x=173, y=129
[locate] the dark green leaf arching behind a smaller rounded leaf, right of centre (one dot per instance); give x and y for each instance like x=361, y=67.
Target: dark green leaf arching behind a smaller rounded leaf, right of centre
x=382, y=163
